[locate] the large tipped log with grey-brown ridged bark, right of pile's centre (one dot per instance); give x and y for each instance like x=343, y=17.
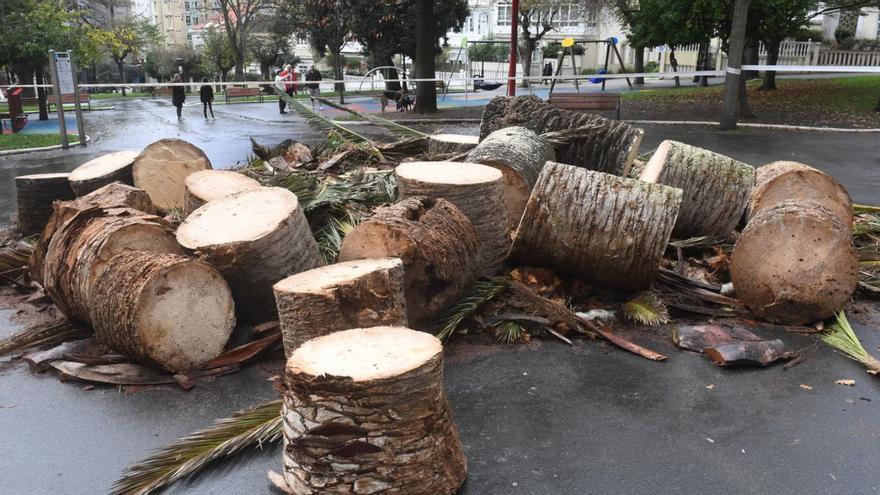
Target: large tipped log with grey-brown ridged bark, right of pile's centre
x=602, y=228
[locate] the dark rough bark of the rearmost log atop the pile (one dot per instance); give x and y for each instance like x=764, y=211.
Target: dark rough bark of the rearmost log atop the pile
x=611, y=148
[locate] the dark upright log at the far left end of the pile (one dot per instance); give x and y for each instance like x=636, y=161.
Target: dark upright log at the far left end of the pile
x=35, y=195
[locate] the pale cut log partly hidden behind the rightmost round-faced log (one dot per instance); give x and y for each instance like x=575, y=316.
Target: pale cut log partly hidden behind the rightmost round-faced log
x=782, y=181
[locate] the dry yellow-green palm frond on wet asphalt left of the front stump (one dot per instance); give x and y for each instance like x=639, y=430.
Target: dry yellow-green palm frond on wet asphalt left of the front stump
x=252, y=428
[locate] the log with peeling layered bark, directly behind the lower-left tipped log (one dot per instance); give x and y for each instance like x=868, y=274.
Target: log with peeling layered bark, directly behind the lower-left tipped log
x=82, y=248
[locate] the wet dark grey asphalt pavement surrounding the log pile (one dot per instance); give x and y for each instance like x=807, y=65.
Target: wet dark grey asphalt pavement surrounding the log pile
x=542, y=418
